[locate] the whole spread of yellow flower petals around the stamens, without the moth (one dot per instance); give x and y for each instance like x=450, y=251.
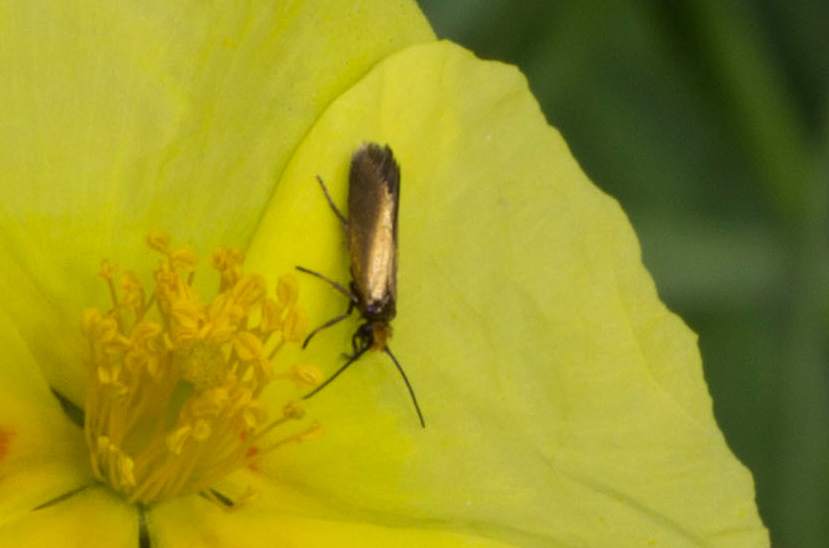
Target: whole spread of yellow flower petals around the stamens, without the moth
x=565, y=405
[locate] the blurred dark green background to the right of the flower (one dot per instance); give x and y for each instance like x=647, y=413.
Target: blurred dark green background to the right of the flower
x=708, y=121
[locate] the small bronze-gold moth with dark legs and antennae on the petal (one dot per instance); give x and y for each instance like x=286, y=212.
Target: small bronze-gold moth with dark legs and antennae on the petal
x=373, y=202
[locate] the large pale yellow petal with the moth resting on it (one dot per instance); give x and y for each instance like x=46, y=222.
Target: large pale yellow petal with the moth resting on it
x=563, y=402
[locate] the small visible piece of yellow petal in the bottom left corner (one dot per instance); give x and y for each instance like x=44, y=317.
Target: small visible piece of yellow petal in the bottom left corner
x=94, y=518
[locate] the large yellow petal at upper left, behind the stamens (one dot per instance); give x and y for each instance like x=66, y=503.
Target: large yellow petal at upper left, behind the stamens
x=121, y=117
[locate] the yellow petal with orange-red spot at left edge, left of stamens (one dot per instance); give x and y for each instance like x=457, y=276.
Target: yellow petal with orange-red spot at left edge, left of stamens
x=42, y=454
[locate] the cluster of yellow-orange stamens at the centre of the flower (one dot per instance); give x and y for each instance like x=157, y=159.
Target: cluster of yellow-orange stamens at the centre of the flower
x=173, y=403
